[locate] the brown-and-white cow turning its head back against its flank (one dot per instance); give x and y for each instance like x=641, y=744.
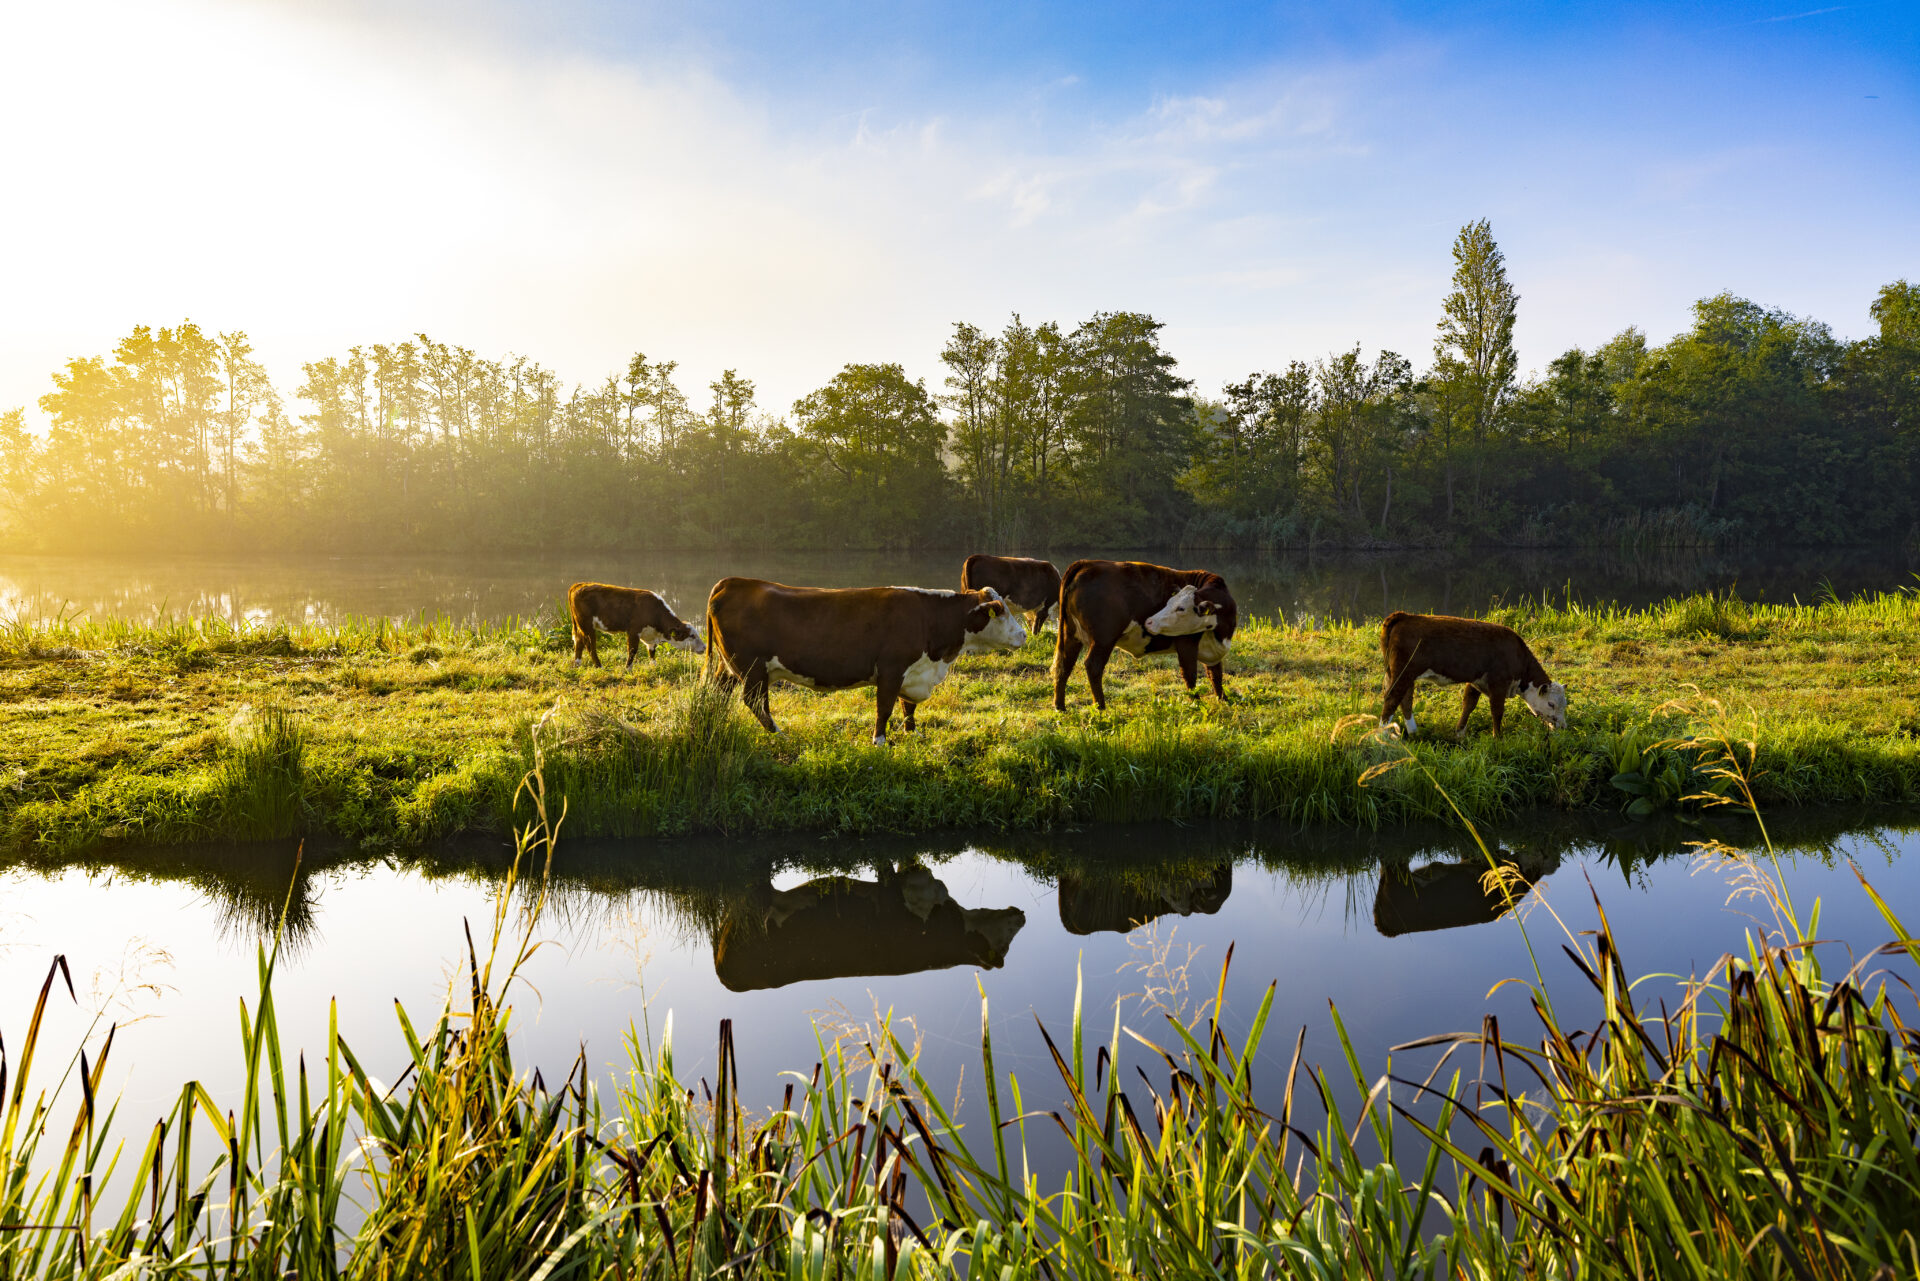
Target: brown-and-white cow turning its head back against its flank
x=1143, y=610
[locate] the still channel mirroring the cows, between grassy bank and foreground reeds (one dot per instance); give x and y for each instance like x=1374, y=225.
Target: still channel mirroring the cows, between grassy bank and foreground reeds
x=794, y=938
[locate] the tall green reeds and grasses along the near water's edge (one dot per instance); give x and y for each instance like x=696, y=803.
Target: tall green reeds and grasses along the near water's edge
x=1758, y=1123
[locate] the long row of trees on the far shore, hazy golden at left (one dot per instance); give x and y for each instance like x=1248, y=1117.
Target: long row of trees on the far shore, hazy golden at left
x=1752, y=425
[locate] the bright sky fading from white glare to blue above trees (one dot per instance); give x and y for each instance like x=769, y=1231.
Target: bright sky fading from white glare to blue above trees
x=784, y=189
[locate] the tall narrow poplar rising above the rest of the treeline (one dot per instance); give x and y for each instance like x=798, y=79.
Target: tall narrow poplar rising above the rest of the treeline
x=1474, y=356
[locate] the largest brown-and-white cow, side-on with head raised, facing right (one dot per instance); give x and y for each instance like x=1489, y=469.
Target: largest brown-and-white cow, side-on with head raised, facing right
x=900, y=640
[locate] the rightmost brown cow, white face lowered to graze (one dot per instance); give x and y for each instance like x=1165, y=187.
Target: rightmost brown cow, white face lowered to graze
x=1466, y=652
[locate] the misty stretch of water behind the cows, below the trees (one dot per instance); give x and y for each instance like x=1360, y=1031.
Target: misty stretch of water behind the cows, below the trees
x=1341, y=585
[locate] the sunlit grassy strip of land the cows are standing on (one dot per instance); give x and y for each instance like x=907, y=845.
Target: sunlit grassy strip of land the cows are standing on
x=400, y=735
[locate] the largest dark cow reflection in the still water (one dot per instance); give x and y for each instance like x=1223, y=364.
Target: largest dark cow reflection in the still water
x=840, y=927
